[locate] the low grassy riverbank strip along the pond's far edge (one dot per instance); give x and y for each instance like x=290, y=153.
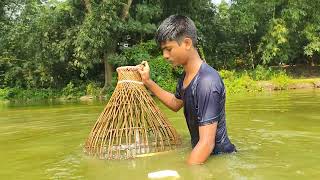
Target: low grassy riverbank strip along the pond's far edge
x=243, y=84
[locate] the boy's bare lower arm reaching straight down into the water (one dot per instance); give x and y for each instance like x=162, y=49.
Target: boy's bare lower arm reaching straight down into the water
x=205, y=145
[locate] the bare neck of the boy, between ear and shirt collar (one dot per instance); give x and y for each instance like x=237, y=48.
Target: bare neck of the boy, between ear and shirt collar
x=193, y=64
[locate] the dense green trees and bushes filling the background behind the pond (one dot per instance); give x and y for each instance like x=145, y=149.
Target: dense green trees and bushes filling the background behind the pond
x=57, y=48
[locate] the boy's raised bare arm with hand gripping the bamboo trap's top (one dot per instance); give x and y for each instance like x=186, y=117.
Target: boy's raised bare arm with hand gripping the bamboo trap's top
x=165, y=97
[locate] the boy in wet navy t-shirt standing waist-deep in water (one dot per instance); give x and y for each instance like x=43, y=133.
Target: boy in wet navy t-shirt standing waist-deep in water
x=200, y=90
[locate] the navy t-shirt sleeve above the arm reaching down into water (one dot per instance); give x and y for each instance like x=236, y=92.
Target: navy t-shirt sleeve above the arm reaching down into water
x=209, y=102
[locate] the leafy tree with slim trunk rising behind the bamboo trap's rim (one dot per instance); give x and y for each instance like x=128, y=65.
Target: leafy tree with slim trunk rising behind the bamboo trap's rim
x=105, y=25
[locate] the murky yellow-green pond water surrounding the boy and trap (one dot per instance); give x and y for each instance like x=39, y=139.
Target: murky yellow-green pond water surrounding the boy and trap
x=277, y=136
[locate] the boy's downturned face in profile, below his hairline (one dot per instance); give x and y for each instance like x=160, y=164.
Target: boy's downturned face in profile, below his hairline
x=174, y=53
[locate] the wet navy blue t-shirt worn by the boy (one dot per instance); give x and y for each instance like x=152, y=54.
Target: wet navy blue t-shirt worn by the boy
x=204, y=103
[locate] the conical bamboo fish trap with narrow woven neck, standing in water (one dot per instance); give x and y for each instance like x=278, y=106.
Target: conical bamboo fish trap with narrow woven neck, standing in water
x=131, y=124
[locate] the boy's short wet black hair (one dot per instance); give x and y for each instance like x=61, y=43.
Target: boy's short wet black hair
x=175, y=28
